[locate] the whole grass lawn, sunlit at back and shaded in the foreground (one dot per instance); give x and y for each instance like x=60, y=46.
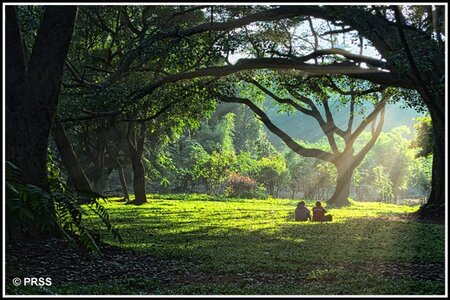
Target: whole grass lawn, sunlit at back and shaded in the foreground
x=192, y=245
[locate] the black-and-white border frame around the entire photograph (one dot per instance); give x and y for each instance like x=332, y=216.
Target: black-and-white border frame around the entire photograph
x=217, y=3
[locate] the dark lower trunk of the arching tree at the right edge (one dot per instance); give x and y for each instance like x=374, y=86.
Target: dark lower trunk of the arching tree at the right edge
x=434, y=209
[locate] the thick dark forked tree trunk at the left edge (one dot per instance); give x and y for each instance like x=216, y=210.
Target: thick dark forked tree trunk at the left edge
x=33, y=86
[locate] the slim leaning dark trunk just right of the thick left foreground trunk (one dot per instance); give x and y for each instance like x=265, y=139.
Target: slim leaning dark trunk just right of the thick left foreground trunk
x=76, y=174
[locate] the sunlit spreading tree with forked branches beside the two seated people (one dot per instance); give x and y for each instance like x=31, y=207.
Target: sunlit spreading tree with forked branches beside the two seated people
x=342, y=157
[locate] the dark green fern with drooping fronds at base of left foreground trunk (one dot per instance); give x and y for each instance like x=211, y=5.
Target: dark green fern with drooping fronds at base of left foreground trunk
x=59, y=210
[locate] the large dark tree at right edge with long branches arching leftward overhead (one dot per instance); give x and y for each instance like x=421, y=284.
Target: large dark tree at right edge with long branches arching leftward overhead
x=421, y=69
